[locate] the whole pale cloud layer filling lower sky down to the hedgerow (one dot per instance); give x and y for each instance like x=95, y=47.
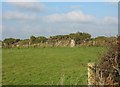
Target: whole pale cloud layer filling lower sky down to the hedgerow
x=53, y=24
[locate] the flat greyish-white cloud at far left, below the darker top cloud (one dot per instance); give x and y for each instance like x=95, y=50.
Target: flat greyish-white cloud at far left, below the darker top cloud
x=18, y=16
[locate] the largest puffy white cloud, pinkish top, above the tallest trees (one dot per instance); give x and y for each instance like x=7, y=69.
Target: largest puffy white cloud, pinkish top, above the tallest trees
x=74, y=16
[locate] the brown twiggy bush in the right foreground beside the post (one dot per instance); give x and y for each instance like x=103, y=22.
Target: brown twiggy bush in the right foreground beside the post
x=109, y=67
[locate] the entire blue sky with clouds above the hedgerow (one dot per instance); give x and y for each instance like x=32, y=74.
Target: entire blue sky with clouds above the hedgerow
x=24, y=19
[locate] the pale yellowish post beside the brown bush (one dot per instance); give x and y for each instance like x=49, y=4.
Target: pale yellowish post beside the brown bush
x=91, y=74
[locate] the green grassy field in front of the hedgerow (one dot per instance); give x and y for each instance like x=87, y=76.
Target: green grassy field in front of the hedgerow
x=40, y=66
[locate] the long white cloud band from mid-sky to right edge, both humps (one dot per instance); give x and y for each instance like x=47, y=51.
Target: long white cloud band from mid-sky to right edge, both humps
x=80, y=17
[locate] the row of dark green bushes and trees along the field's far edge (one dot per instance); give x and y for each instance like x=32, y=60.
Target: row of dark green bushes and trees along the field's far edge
x=78, y=37
